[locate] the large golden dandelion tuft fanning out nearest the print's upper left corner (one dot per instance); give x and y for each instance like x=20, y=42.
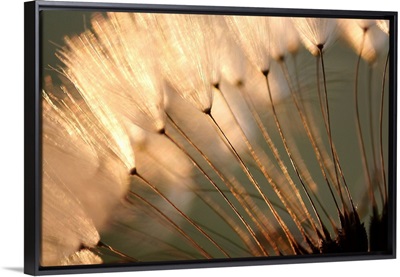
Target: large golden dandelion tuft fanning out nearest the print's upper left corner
x=125, y=77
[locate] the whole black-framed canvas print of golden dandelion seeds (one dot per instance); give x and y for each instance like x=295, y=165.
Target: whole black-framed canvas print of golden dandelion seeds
x=160, y=137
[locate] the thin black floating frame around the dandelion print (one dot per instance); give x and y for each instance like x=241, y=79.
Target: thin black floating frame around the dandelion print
x=33, y=137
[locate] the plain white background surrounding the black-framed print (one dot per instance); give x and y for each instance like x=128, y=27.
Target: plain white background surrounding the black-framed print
x=11, y=150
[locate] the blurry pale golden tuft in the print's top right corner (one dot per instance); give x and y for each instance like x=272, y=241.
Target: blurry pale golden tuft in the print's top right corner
x=365, y=37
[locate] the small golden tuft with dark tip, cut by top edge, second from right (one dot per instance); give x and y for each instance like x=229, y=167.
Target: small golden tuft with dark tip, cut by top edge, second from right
x=316, y=32
